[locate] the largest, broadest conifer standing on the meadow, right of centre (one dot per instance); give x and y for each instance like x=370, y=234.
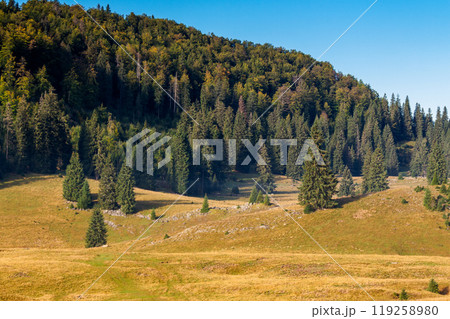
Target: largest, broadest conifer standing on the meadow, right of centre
x=318, y=182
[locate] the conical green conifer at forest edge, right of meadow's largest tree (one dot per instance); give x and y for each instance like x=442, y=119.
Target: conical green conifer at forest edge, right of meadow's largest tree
x=375, y=179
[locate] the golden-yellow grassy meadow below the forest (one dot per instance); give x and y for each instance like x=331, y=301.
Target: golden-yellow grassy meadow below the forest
x=235, y=252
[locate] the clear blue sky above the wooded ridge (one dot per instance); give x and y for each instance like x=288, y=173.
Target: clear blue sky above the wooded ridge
x=399, y=46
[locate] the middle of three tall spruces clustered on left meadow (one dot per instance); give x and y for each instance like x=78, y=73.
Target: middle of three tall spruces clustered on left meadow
x=107, y=189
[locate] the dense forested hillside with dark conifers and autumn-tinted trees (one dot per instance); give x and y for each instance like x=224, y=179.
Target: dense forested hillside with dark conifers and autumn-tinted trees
x=66, y=86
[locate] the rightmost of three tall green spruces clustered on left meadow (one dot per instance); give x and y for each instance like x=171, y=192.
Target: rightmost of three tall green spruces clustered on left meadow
x=125, y=190
